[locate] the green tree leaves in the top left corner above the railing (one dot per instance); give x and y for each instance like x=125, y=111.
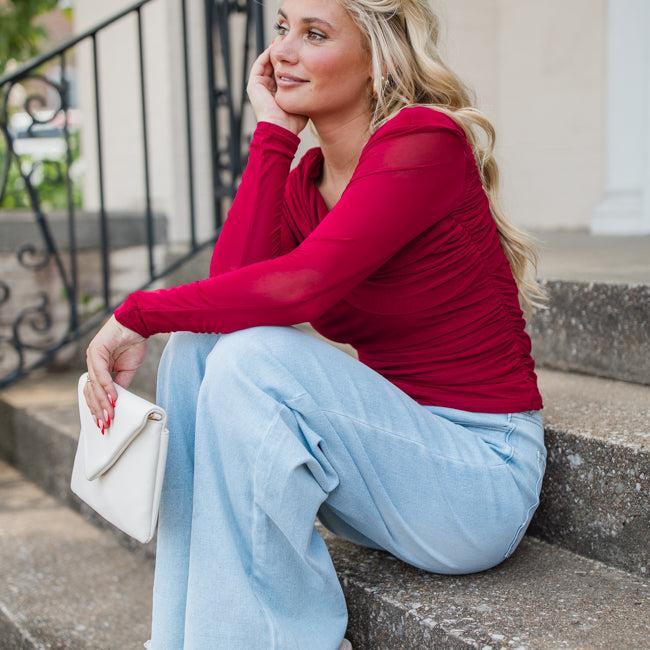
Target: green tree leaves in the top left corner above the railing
x=19, y=37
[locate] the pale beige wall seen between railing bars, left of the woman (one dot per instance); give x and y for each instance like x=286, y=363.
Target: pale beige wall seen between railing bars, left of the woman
x=165, y=96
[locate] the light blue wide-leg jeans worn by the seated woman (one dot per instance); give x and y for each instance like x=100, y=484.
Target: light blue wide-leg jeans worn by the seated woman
x=270, y=428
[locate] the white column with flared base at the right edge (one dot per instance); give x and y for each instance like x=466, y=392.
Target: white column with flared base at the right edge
x=625, y=206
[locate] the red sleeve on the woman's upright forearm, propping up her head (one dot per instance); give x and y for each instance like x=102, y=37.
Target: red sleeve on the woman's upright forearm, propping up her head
x=253, y=229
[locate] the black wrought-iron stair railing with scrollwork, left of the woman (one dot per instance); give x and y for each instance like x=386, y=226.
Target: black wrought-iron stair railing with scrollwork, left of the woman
x=27, y=338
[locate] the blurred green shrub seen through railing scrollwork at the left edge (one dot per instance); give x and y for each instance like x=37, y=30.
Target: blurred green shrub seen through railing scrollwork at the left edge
x=48, y=181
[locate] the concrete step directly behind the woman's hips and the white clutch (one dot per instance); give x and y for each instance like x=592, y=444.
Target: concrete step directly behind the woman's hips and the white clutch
x=594, y=498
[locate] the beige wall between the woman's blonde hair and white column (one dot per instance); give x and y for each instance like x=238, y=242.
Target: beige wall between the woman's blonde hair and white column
x=539, y=72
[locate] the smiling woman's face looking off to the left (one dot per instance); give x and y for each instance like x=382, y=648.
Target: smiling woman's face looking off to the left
x=328, y=55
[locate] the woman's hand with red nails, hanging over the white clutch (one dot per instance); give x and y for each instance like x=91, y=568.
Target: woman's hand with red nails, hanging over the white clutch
x=115, y=349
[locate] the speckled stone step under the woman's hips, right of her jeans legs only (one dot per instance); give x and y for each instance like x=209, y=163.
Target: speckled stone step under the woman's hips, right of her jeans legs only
x=540, y=597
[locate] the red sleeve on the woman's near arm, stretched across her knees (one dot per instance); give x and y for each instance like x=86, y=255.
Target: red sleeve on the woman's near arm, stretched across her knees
x=411, y=173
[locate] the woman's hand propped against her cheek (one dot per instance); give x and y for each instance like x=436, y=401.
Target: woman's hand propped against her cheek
x=261, y=91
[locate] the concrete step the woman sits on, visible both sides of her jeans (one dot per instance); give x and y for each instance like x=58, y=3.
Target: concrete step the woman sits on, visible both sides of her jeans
x=68, y=584
